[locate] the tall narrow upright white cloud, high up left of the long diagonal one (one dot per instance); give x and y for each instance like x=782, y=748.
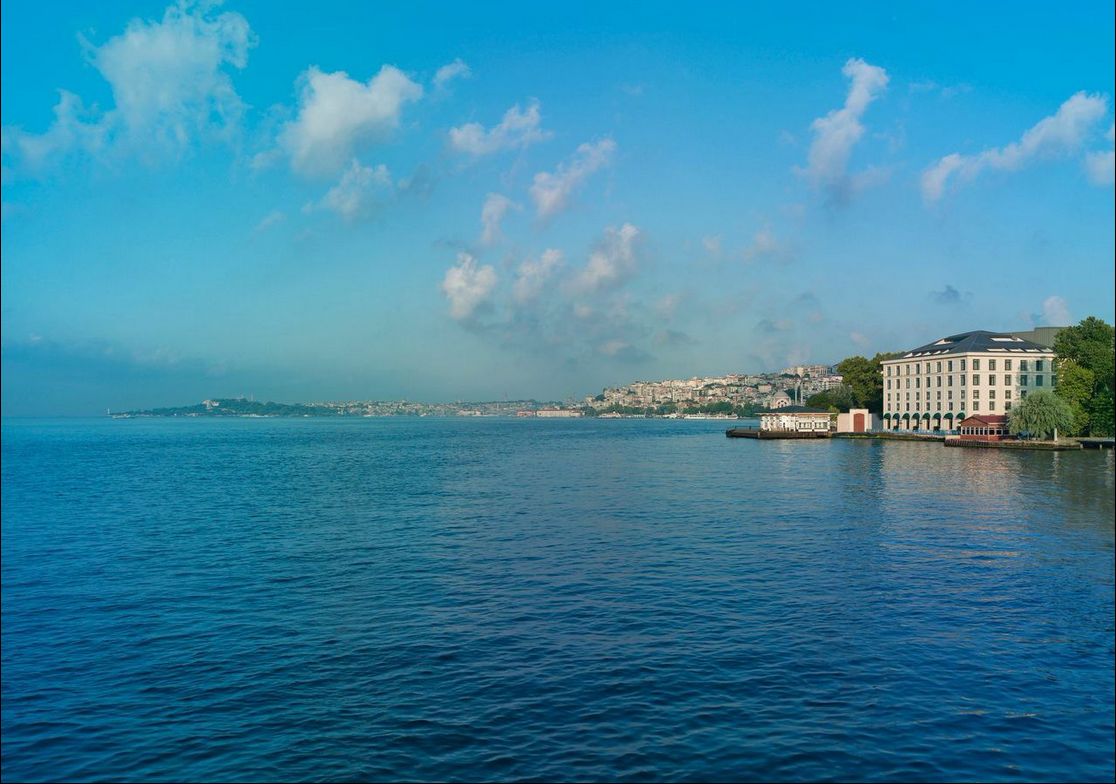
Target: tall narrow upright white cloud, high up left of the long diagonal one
x=839, y=132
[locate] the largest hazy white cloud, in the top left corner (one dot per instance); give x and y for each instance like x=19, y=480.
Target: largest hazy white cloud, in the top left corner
x=170, y=85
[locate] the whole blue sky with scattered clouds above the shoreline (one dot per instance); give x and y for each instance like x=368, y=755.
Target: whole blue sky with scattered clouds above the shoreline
x=489, y=201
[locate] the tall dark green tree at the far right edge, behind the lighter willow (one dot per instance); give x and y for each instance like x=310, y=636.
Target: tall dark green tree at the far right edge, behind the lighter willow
x=1092, y=345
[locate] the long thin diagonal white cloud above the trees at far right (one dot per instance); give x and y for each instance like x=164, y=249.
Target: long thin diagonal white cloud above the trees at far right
x=1061, y=134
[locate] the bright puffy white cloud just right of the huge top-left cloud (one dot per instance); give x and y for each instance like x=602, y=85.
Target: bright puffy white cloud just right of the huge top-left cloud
x=339, y=115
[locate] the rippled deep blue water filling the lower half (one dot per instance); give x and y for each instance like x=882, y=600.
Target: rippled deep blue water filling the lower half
x=482, y=599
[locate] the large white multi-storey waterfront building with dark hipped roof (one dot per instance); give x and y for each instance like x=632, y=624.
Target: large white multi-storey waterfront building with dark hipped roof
x=936, y=386
